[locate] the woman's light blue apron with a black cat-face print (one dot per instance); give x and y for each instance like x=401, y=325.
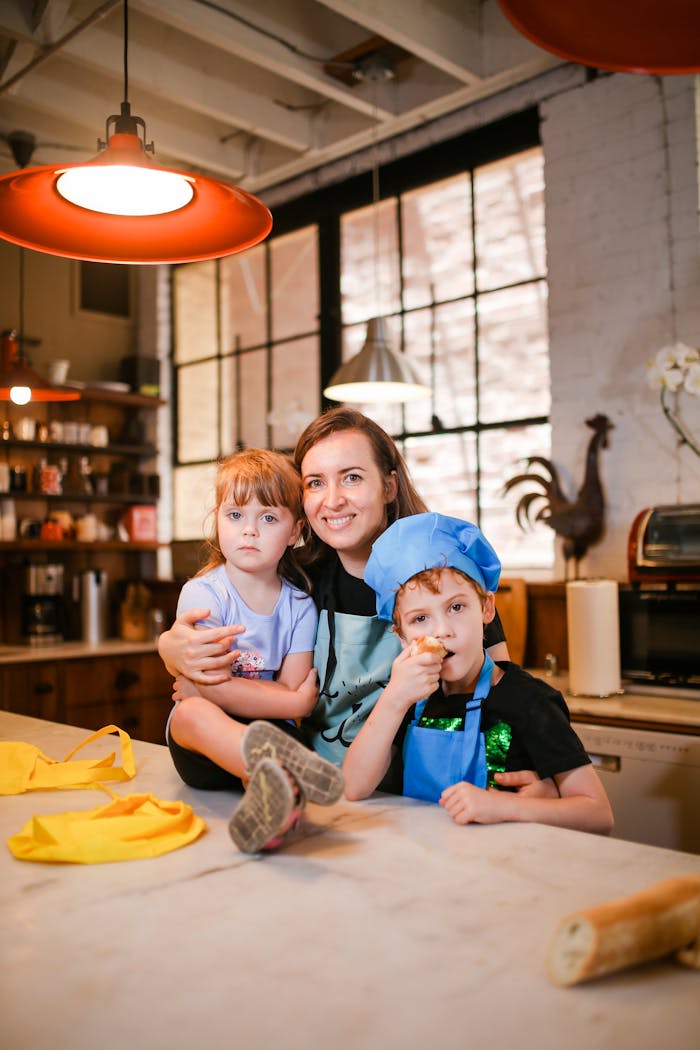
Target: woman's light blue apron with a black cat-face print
x=354, y=667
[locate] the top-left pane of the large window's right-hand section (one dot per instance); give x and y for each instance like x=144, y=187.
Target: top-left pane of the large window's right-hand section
x=369, y=278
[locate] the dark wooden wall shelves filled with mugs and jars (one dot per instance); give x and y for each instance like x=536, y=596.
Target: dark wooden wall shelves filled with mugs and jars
x=105, y=444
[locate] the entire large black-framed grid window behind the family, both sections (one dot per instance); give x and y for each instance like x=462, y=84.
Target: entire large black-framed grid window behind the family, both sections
x=454, y=257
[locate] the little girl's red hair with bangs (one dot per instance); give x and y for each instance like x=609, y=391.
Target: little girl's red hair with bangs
x=269, y=477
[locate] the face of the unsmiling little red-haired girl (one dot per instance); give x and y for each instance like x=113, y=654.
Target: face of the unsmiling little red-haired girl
x=253, y=538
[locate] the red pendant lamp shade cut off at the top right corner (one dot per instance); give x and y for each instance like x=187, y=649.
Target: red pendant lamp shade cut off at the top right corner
x=624, y=36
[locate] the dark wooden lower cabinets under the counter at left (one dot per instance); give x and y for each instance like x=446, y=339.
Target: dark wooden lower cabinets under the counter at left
x=133, y=691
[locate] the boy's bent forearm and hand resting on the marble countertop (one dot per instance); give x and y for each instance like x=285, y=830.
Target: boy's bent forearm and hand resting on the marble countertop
x=583, y=805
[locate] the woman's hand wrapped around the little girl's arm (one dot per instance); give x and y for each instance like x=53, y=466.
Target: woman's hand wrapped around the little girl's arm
x=203, y=655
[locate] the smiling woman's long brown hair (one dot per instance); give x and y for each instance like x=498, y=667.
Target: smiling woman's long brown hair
x=387, y=456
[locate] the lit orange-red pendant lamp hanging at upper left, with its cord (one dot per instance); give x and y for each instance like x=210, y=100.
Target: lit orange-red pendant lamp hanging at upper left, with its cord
x=121, y=207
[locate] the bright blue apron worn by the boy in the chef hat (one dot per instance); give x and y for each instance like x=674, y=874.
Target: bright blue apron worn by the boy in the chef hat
x=435, y=759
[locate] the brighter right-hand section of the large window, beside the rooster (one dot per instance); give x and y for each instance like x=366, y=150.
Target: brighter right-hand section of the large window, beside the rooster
x=461, y=276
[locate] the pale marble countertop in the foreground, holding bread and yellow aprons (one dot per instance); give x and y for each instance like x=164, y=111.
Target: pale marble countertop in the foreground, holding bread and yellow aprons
x=385, y=926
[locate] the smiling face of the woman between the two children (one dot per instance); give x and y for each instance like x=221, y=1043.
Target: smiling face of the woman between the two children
x=347, y=496
